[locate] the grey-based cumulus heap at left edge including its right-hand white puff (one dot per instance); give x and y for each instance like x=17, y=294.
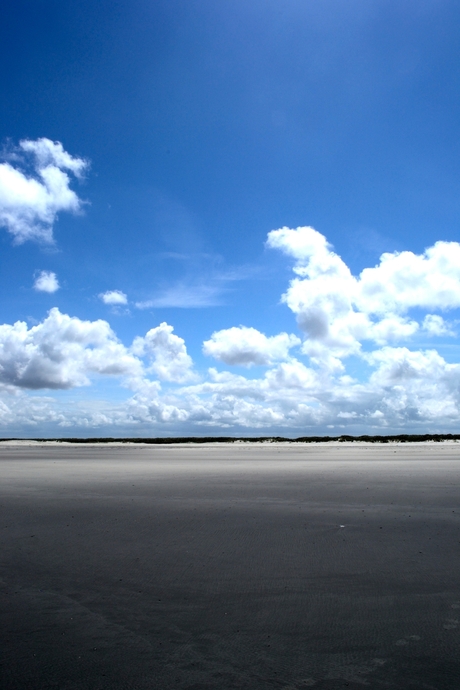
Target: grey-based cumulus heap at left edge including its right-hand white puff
x=63, y=352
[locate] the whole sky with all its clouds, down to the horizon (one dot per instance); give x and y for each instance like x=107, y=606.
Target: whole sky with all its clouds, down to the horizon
x=229, y=218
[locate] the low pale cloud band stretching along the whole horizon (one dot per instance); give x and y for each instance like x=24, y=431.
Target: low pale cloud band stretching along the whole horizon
x=407, y=391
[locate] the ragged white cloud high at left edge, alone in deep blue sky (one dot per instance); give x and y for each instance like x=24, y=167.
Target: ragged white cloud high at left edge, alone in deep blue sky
x=36, y=188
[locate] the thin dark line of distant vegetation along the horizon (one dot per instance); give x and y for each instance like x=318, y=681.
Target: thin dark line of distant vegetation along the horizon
x=400, y=438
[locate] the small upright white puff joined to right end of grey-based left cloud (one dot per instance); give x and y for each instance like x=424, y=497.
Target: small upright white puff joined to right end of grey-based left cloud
x=166, y=352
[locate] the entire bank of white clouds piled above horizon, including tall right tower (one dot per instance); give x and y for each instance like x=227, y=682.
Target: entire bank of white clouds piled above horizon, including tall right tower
x=356, y=363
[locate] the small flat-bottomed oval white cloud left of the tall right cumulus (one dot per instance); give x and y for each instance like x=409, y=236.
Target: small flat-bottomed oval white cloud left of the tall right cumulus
x=248, y=346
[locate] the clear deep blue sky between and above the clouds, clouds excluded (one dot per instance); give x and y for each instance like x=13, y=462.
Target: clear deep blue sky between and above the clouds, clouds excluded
x=208, y=124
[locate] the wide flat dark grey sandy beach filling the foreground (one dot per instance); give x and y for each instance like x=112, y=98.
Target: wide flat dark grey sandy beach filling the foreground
x=230, y=566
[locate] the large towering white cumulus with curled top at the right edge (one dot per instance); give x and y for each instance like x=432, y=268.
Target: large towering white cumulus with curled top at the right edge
x=338, y=311
